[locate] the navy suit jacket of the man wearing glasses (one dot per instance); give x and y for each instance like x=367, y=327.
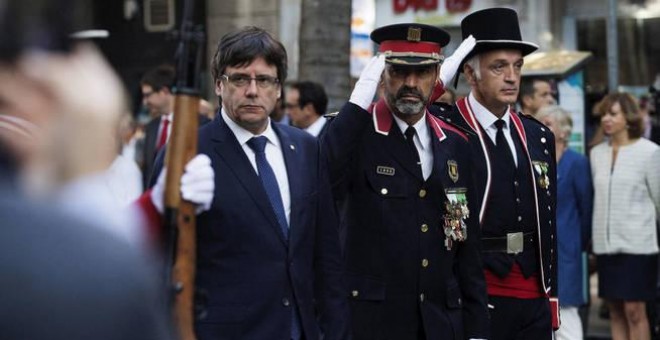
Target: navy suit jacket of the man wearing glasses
x=249, y=271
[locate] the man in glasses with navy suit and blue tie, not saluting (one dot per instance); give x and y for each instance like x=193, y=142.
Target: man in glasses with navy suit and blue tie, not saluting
x=268, y=256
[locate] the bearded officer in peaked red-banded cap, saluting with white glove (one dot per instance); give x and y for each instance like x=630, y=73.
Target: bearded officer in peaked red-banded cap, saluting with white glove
x=403, y=180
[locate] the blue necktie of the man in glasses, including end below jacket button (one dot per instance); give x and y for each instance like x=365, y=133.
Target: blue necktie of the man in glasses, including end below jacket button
x=269, y=181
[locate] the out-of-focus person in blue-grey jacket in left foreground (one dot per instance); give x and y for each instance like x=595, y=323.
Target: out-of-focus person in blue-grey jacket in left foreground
x=63, y=278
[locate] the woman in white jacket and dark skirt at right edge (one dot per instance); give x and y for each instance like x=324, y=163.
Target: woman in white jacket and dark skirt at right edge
x=626, y=204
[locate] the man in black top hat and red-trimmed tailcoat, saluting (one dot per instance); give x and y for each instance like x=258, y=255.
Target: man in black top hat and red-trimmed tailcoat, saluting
x=514, y=165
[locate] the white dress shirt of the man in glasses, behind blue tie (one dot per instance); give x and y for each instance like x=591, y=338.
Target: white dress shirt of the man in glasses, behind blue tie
x=273, y=155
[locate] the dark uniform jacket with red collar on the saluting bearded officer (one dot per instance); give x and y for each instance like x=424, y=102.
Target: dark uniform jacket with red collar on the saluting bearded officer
x=401, y=277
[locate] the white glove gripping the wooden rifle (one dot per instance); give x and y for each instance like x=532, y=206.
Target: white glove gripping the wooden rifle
x=197, y=184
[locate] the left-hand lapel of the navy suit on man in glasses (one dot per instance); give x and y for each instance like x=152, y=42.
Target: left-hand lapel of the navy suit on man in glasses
x=227, y=147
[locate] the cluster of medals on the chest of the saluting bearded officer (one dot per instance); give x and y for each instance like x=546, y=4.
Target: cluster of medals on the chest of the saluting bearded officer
x=456, y=211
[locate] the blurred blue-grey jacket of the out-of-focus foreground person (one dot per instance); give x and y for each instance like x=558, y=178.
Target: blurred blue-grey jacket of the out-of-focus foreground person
x=64, y=279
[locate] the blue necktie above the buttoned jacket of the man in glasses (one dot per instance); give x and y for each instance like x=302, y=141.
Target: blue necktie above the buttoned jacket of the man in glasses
x=269, y=181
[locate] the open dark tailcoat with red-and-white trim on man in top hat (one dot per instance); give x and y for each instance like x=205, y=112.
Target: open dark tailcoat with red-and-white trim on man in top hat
x=539, y=146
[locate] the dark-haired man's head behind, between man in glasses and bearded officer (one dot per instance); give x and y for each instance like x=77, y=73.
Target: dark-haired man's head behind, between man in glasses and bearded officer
x=306, y=103
